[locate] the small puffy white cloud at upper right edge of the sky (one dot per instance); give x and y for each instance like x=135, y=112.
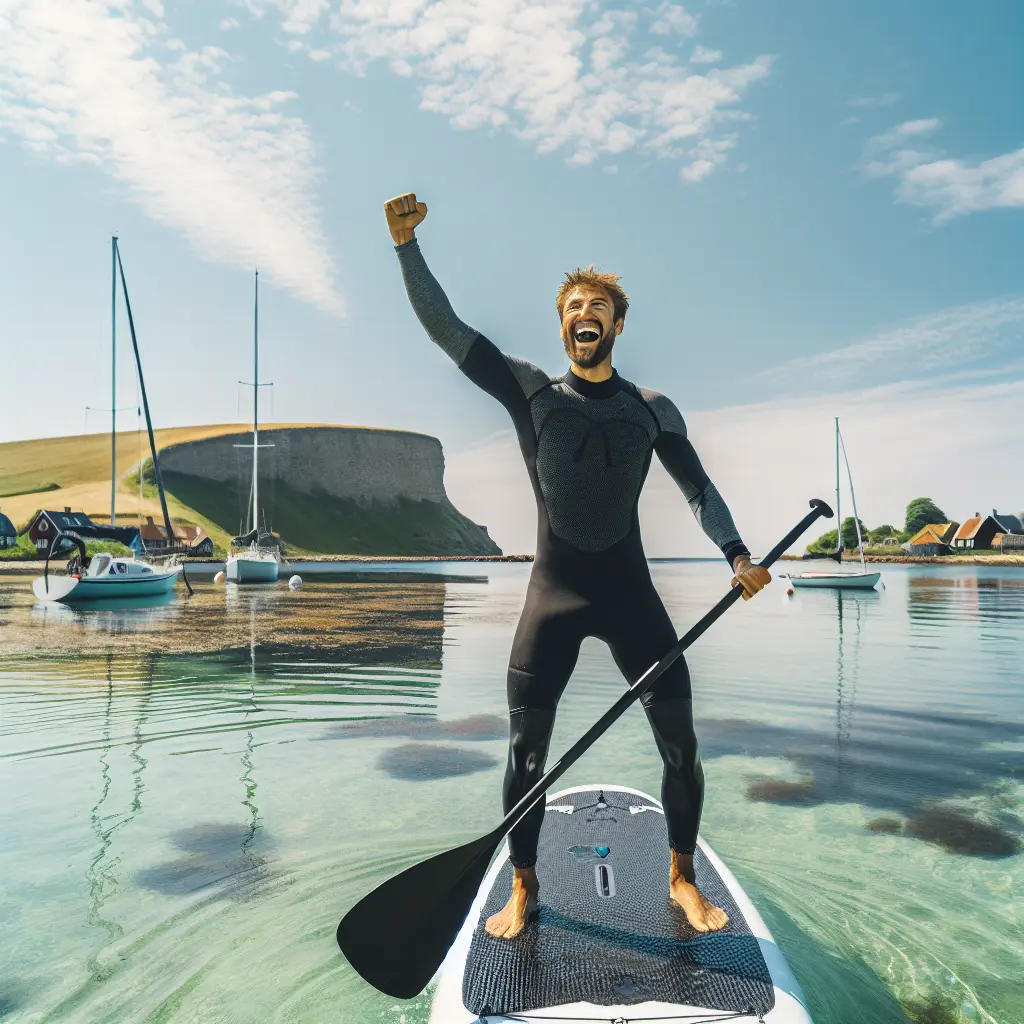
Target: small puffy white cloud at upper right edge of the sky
x=953, y=188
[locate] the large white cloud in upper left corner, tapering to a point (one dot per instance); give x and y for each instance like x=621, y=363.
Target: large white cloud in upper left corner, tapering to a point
x=104, y=83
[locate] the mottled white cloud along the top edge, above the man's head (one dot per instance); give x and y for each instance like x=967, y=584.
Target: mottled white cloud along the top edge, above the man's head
x=567, y=76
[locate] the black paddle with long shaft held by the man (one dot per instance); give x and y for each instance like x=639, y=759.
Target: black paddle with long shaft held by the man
x=398, y=935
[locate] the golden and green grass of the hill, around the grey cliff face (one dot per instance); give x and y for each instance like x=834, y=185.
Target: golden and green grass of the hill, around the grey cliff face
x=56, y=473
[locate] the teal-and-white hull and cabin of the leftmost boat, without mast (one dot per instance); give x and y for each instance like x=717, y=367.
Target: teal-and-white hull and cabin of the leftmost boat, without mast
x=102, y=577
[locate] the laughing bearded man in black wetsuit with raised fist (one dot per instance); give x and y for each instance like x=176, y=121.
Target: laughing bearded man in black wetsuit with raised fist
x=588, y=439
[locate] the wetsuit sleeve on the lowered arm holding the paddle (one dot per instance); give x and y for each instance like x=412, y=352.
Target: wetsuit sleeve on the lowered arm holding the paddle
x=679, y=458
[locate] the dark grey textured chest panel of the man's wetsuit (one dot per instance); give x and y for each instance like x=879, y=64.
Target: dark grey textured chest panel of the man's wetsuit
x=592, y=457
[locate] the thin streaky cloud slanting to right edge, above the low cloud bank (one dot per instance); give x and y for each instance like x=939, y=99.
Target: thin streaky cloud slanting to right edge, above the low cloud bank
x=932, y=345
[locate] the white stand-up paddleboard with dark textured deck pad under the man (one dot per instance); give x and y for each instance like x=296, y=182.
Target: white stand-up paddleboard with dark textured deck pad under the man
x=608, y=945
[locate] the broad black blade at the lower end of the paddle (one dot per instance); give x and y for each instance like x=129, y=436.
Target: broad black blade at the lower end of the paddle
x=398, y=935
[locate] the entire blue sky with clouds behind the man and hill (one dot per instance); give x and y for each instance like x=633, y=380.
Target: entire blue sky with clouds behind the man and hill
x=818, y=210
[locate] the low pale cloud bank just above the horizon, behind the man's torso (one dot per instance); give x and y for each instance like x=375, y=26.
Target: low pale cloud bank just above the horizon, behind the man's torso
x=905, y=441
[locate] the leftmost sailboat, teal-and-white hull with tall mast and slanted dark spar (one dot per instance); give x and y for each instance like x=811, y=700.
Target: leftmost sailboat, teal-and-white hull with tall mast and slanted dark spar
x=104, y=576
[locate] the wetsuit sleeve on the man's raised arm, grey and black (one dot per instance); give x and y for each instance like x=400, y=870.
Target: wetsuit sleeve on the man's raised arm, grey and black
x=510, y=380
